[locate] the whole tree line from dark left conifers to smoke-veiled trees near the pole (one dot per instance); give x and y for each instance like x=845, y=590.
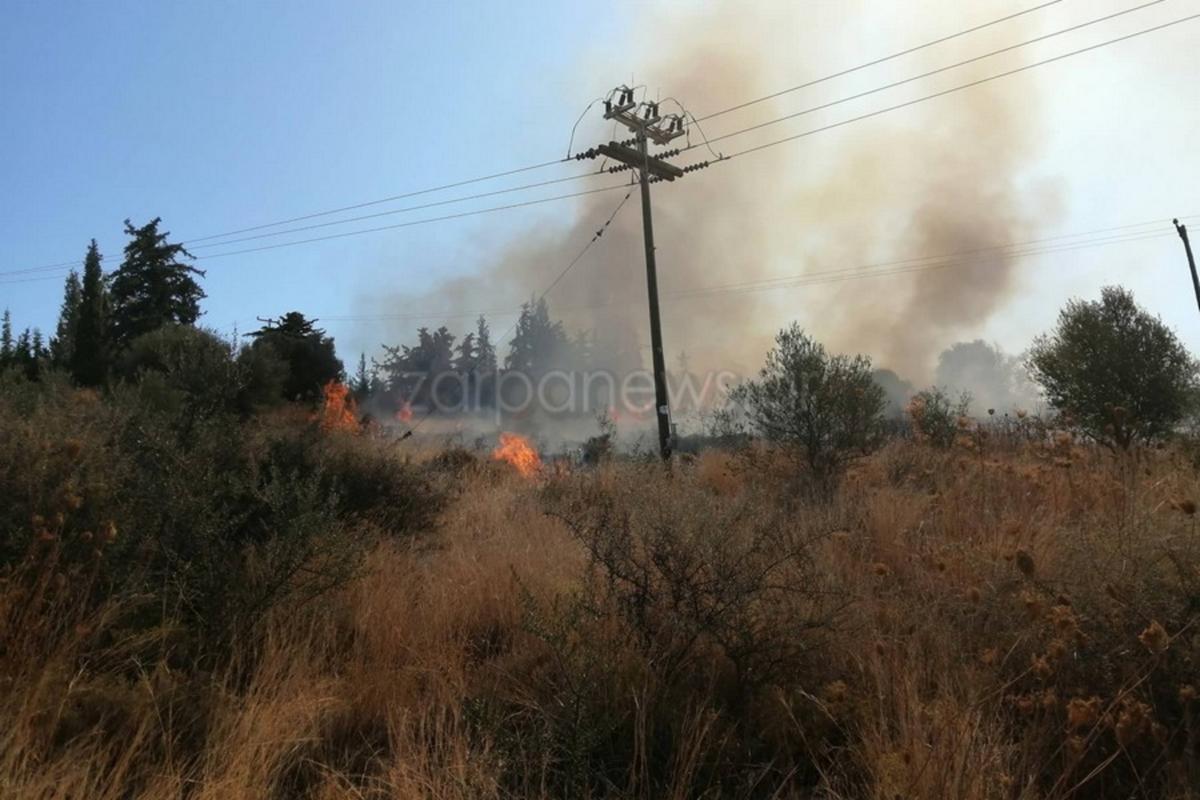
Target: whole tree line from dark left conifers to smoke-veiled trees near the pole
x=145, y=315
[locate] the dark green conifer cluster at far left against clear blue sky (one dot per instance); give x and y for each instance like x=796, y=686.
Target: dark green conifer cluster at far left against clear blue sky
x=143, y=317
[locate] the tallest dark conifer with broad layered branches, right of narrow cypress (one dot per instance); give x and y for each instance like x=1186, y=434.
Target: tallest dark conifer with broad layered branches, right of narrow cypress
x=153, y=287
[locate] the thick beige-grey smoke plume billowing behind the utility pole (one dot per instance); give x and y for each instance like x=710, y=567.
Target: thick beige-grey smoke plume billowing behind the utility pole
x=940, y=178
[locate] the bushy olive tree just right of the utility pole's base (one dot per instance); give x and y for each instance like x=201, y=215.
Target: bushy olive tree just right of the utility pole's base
x=830, y=408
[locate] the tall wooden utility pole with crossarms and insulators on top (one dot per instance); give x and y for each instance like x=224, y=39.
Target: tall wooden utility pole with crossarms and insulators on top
x=647, y=125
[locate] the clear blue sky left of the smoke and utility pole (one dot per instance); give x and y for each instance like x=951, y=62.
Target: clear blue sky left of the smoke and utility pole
x=219, y=115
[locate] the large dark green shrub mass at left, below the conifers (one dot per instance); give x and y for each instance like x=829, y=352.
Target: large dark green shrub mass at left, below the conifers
x=185, y=515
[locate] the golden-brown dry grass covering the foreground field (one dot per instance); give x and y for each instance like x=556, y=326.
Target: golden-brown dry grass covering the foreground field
x=1013, y=621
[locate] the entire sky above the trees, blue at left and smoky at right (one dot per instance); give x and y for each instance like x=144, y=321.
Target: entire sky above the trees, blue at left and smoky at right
x=221, y=116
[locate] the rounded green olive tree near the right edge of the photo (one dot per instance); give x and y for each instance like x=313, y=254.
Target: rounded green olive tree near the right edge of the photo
x=1121, y=375
